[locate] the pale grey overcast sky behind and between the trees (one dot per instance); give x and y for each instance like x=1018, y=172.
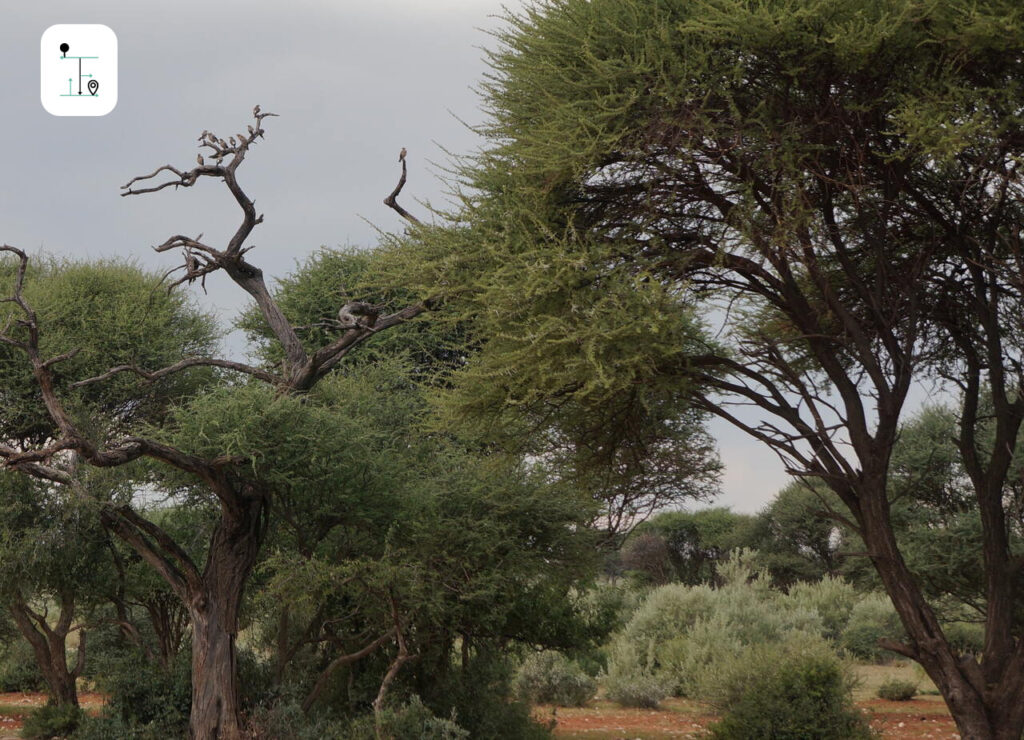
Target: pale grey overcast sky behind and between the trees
x=354, y=82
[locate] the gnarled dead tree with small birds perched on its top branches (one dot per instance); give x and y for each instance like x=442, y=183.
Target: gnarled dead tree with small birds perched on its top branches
x=212, y=594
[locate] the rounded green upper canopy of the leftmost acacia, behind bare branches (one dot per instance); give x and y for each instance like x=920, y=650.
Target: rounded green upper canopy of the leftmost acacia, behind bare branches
x=112, y=313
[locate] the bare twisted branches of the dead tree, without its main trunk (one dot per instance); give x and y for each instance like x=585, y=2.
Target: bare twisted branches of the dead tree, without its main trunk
x=219, y=159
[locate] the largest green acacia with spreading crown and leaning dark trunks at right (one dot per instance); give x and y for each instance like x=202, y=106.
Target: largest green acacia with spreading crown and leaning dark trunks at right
x=831, y=187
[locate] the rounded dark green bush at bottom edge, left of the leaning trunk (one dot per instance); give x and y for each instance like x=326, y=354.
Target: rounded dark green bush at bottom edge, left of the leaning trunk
x=790, y=691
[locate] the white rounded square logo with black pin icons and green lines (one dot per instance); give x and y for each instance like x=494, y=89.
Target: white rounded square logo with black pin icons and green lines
x=78, y=70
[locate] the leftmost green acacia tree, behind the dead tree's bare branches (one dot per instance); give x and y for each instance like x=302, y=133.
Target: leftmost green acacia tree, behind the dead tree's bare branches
x=57, y=555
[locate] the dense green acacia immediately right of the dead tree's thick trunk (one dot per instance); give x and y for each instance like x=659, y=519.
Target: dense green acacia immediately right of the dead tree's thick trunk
x=410, y=505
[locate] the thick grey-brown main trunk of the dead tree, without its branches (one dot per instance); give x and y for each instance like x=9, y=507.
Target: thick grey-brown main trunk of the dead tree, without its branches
x=215, y=613
